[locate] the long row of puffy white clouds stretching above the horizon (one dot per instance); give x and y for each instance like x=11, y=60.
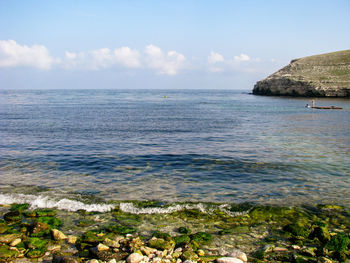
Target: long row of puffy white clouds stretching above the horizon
x=152, y=58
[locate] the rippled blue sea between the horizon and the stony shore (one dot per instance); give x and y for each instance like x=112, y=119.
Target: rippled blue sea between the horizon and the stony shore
x=184, y=145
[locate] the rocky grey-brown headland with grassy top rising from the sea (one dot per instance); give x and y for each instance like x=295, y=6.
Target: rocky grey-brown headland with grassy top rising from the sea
x=326, y=75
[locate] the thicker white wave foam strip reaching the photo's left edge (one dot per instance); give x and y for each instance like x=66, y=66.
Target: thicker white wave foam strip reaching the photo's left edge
x=47, y=202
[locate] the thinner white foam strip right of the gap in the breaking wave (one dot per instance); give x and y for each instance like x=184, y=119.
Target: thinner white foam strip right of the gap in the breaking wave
x=130, y=208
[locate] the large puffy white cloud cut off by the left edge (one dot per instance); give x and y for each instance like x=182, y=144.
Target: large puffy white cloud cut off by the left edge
x=13, y=54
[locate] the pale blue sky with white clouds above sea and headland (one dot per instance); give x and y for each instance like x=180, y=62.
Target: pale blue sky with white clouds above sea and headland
x=182, y=44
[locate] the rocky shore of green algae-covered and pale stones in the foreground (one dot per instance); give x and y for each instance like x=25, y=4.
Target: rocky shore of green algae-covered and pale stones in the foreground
x=138, y=232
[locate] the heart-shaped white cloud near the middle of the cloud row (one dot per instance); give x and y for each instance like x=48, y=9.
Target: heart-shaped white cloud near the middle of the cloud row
x=168, y=64
